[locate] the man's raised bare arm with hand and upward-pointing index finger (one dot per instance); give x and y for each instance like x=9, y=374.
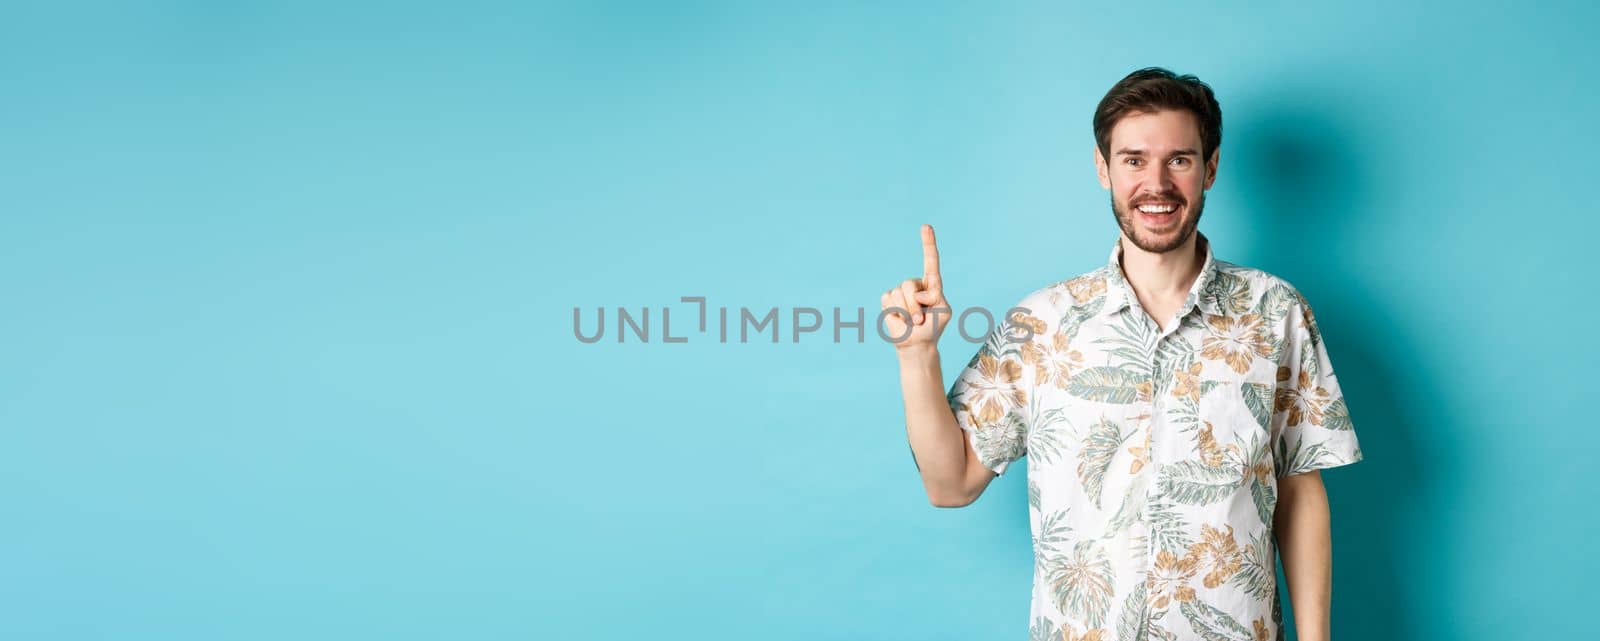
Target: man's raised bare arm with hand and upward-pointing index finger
x=950, y=468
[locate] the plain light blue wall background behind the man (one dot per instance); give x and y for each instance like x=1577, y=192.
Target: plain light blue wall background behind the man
x=289, y=301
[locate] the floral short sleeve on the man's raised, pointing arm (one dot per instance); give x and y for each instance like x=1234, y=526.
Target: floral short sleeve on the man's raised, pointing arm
x=991, y=402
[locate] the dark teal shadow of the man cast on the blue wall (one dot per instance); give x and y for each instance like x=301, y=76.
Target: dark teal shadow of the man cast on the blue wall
x=1302, y=183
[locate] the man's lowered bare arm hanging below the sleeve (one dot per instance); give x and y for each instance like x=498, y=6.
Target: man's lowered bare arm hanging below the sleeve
x=1302, y=522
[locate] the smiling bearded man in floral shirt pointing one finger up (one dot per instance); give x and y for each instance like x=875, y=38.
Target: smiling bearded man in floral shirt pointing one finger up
x=1177, y=408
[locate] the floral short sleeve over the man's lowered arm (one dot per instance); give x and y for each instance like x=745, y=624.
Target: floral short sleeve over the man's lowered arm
x=1310, y=413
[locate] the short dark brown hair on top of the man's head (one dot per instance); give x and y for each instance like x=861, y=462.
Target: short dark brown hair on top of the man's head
x=1156, y=89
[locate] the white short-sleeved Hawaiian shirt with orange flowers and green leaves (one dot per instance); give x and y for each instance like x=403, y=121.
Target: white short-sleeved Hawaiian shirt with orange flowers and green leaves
x=1156, y=455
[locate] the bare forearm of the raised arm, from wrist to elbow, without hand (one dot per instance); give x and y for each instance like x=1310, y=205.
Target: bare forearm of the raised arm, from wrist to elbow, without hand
x=930, y=426
